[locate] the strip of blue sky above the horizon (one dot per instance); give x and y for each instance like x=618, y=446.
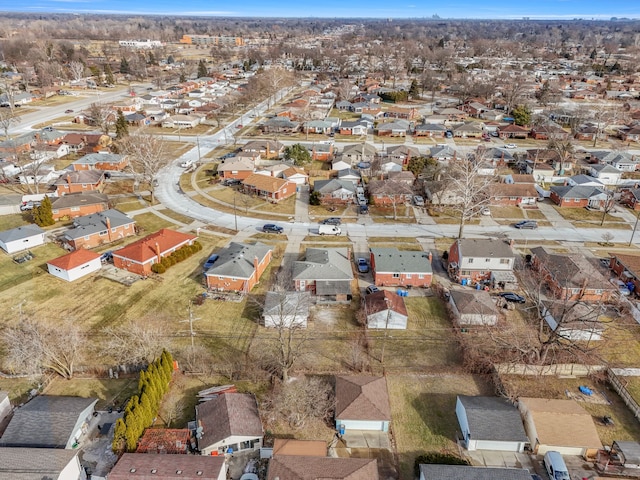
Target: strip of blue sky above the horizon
x=488, y=9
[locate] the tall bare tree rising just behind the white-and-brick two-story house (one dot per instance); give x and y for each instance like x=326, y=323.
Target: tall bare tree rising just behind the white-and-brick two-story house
x=466, y=183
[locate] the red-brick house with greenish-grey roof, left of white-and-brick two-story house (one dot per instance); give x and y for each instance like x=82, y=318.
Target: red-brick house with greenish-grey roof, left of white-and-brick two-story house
x=392, y=267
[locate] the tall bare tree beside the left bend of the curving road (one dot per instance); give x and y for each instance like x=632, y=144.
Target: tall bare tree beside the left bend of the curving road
x=147, y=156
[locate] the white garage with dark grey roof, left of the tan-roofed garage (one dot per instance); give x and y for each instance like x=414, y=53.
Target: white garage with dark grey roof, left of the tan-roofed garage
x=490, y=423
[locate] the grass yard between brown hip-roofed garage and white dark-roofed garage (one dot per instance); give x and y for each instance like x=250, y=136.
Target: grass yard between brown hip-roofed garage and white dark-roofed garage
x=423, y=413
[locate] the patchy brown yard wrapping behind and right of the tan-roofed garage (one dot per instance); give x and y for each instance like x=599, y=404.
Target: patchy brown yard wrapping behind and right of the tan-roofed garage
x=625, y=427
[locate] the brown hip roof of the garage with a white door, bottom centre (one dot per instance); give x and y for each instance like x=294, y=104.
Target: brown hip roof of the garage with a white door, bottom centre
x=362, y=397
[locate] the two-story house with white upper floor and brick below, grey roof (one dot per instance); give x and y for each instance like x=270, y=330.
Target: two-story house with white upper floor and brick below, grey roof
x=473, y=260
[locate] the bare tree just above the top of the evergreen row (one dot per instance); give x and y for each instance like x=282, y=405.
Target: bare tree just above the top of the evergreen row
x=135, y=342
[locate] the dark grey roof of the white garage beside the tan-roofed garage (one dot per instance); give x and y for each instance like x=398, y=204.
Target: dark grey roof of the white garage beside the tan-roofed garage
x=493, y=418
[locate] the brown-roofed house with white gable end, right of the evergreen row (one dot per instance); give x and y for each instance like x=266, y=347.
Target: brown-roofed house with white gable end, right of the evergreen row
x=230, y=423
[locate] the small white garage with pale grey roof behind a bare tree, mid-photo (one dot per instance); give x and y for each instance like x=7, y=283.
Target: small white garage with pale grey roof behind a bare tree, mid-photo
x=286, y=309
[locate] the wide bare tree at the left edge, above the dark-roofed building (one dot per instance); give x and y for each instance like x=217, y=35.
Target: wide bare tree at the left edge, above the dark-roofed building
x=35, y=347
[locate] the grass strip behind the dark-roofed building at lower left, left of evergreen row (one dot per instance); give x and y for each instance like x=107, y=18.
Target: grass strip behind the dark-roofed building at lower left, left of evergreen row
x=111, y=392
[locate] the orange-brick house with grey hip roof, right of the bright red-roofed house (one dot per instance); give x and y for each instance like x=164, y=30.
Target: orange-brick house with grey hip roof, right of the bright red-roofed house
x=239, y=267
